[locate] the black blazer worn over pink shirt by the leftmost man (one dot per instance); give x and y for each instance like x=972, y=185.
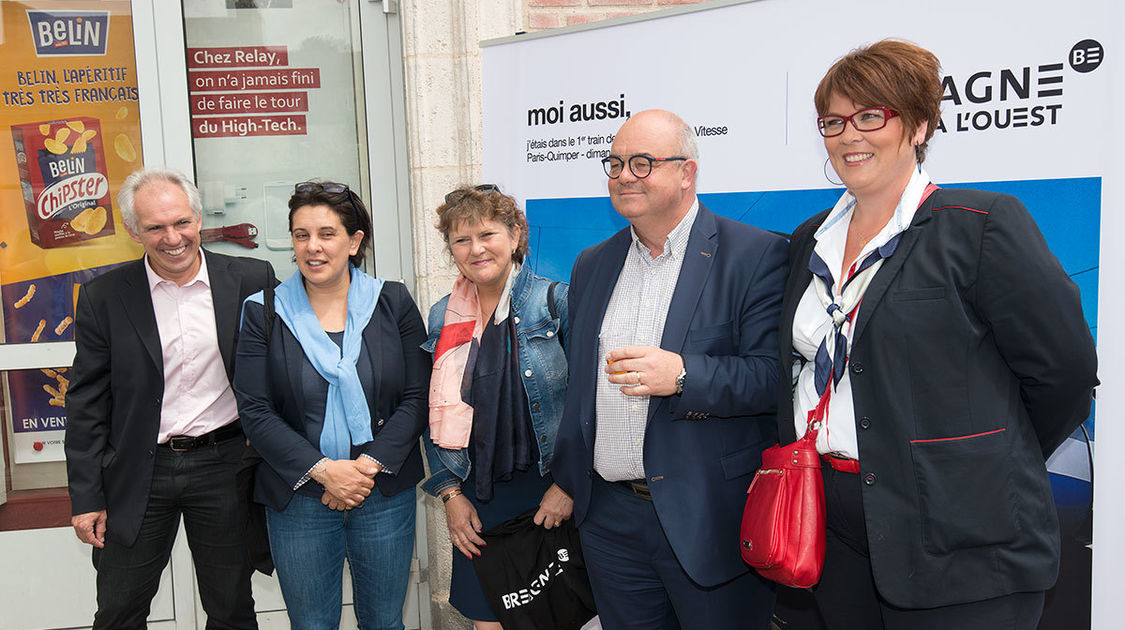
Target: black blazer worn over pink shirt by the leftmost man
x=118, y=386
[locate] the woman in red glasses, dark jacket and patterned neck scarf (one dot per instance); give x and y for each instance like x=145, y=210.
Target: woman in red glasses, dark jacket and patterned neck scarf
x=948, y=365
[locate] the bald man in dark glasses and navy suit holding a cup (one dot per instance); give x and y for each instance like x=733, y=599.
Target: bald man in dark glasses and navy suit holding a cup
x=658, y=456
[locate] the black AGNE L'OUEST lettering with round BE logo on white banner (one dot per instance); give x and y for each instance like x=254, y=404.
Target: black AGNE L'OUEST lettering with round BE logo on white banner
x=1011, y=98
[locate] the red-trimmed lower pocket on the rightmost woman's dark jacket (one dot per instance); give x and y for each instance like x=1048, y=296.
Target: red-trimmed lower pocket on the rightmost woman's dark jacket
x=965, y=491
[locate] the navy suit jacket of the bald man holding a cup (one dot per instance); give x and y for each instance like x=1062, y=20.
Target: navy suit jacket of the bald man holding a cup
x=701, y=448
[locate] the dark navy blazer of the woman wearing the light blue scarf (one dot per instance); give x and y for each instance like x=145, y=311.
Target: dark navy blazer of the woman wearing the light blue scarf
x=272, y=399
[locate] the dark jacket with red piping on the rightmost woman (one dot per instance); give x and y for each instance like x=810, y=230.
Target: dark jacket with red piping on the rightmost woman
x=970, y=364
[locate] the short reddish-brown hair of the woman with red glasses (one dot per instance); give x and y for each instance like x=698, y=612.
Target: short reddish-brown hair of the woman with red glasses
x=890, y=74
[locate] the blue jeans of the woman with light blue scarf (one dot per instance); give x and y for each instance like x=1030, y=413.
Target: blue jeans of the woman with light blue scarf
x=310, y=544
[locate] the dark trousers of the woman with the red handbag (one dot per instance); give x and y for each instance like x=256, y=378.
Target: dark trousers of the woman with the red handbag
x=847, y=596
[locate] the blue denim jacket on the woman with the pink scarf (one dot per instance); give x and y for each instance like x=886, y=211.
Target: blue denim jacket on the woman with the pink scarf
x=543, y=367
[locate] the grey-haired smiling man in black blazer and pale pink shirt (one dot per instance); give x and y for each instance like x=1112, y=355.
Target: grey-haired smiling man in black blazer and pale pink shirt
x=152, y=428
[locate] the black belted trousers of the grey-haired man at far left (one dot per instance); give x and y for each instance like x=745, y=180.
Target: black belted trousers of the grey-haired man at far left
x=199, y=485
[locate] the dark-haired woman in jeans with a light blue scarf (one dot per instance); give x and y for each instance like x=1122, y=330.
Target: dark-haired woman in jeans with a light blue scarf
x=332, y=393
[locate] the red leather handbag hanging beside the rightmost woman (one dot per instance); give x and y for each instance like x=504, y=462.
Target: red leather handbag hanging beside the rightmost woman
x=784, y=524
